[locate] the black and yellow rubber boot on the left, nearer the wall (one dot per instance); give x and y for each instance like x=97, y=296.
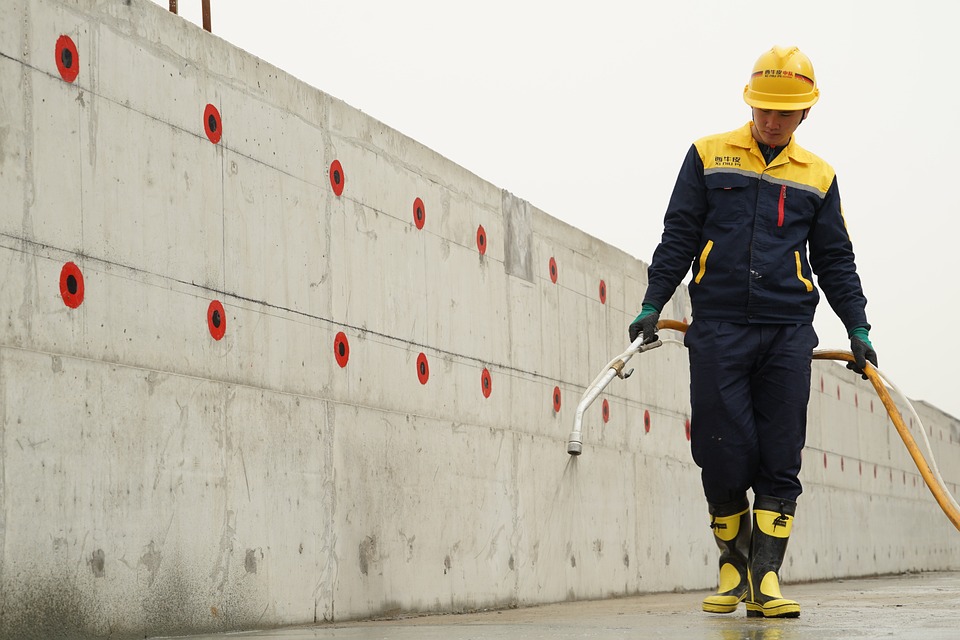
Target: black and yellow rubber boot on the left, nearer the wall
x=731, y=530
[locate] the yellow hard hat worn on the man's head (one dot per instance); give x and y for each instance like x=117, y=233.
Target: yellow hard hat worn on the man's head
x=782, y=80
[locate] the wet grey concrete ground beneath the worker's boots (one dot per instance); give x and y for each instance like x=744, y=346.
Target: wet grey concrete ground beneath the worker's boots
x=922, y=606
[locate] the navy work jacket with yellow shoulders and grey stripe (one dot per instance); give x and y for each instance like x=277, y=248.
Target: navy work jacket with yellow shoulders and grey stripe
x=750, y=233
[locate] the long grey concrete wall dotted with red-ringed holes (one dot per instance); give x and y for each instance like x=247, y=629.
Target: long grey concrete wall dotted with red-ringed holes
x=158, y=480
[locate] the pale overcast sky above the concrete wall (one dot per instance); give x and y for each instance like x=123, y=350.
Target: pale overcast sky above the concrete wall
x=587, y=109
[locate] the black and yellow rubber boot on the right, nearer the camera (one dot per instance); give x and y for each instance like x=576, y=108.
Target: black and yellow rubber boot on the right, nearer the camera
x=773, y=521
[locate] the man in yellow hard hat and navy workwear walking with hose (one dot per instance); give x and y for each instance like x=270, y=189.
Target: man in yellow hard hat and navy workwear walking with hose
x=753, y=216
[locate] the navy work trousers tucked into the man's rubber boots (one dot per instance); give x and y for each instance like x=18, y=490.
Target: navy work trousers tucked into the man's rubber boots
x=749, y=388
